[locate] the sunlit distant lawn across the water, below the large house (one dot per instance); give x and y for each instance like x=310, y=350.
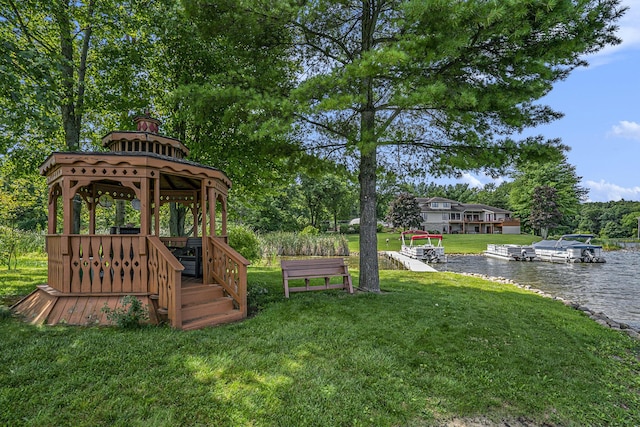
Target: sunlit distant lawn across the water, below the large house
x=453, y=243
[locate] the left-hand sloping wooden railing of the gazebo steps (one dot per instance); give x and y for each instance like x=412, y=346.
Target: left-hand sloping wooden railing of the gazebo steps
x=165, y=279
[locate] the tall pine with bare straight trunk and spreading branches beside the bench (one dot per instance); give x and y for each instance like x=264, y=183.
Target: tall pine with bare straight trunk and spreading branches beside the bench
x=444, y=82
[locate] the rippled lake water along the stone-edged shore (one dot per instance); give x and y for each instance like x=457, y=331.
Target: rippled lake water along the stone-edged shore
x=612, y=288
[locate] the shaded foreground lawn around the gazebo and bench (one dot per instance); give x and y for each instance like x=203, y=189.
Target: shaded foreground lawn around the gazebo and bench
x=430, y=348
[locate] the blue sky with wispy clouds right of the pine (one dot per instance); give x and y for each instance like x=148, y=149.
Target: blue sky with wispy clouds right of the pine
x=601, y=123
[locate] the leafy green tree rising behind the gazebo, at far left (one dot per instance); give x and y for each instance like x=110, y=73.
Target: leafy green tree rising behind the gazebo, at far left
x=63, y=59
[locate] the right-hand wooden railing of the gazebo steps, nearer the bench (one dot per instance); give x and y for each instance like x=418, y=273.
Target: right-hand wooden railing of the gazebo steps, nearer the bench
x=229, y=269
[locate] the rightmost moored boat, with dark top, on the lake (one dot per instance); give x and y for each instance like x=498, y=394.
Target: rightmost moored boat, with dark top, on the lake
x=569, y=248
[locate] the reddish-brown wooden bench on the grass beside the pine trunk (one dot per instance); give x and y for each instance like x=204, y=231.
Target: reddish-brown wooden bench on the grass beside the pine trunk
x=315, y=268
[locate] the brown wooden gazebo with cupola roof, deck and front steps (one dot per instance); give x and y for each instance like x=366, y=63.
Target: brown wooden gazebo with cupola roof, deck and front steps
x=190, y=282
